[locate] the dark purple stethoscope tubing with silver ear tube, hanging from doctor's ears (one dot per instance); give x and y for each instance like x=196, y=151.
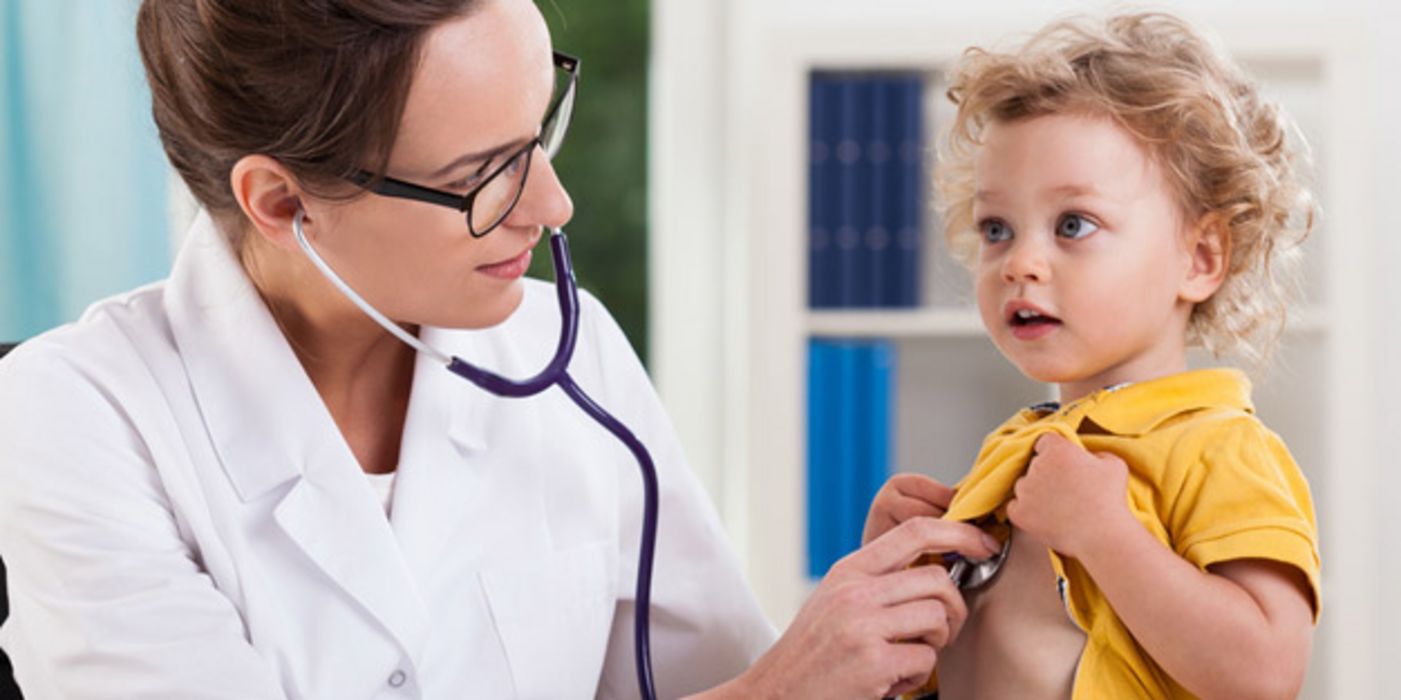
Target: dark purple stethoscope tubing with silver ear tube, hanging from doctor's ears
x=554, y=374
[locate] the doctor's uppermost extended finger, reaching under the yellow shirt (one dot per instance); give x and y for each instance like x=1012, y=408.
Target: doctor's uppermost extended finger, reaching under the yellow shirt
x=916, y=537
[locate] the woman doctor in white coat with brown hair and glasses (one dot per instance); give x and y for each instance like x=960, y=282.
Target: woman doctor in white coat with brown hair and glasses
x=235, y=485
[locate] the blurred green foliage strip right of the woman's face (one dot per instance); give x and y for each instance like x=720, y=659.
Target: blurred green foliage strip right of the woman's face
x=605, y=160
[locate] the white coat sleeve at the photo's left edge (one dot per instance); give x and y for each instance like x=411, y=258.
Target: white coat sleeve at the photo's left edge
x=109, y=601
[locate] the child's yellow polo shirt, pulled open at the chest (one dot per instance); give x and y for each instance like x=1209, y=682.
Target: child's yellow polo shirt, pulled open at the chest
x=1207, y=478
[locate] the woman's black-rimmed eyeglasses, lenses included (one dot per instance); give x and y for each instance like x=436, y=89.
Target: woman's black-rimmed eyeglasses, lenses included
x=495, y=194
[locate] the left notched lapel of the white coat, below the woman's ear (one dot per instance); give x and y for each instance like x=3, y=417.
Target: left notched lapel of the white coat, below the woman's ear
x=271, y=429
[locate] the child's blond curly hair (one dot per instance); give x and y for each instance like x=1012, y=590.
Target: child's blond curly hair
x=1227, y=152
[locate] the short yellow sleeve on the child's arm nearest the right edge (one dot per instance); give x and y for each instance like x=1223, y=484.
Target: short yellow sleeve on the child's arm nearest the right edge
x=1245, y=498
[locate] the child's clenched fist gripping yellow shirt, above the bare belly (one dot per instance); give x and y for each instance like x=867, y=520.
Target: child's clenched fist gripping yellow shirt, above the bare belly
x=1068, y=495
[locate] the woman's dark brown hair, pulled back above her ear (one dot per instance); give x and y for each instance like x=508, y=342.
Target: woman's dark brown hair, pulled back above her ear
x=317, y=85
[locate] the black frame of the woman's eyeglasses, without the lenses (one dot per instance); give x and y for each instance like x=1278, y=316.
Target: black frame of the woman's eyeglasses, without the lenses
x=403, y=190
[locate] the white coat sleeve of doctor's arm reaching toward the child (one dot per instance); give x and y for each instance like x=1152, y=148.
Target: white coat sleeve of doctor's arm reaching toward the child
x=707, y=626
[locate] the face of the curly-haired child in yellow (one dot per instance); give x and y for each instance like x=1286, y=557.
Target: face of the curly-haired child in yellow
x=1084, y=260
